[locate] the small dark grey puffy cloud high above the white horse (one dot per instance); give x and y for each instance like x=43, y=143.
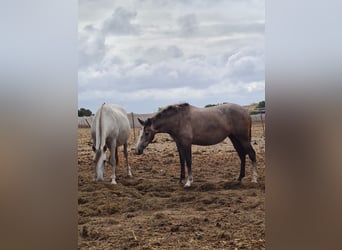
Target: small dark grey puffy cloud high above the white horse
x=119, y=23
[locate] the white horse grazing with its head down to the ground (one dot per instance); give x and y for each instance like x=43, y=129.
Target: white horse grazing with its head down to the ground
x=110, y=129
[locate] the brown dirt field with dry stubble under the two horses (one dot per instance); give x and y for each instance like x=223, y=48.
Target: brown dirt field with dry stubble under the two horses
x=153, y=211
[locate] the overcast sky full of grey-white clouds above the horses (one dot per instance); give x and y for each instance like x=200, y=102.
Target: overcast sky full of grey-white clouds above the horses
x=145, y=54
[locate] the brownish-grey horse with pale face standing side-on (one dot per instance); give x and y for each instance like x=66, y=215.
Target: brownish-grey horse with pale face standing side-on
x=189, y=125
